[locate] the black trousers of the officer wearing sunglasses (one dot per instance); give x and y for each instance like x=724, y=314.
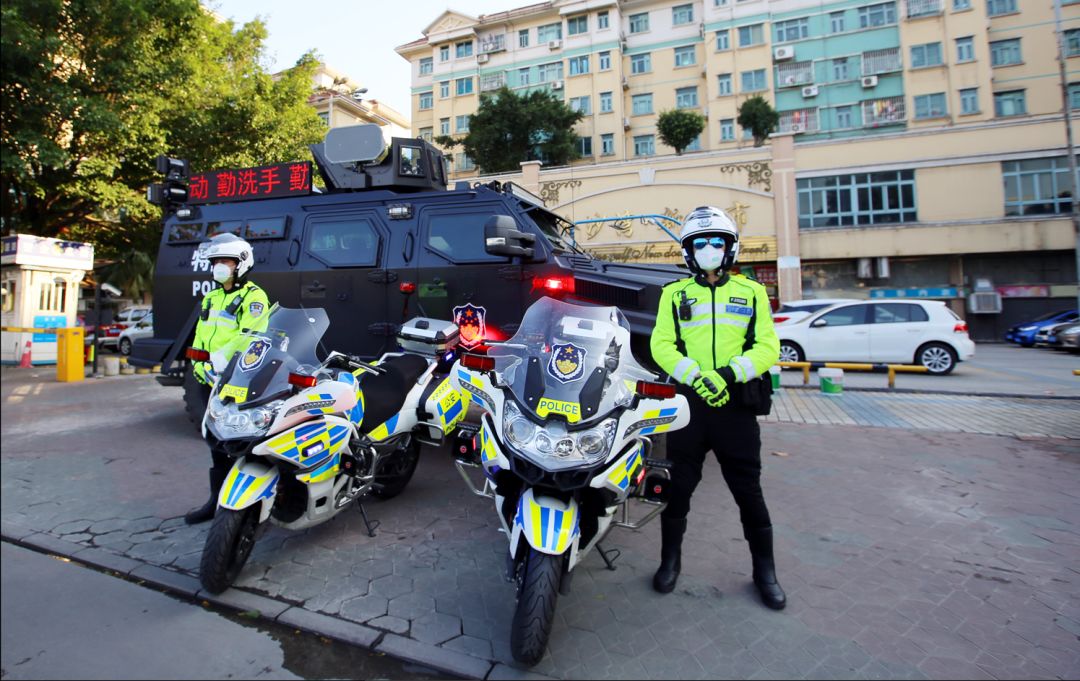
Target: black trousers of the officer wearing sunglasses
x=734, y=437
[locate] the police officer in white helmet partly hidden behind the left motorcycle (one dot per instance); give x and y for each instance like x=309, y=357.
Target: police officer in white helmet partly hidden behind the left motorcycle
x=228, y=312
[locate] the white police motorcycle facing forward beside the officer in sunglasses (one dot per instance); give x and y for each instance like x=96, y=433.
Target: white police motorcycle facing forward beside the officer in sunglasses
x=564, y=443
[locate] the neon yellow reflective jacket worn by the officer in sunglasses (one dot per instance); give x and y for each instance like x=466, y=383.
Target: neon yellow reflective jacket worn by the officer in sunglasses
x=715, y=334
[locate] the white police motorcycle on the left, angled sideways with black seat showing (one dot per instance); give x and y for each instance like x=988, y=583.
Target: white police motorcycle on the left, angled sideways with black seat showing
x=313, y=437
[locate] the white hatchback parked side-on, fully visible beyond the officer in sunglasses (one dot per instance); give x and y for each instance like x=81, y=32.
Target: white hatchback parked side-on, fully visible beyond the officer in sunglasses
x=925, y=333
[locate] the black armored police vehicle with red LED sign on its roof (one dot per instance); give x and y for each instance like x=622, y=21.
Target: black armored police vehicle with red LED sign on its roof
x=385, y=241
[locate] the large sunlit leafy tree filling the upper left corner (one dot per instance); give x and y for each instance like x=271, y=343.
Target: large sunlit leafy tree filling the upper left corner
x=94, y=90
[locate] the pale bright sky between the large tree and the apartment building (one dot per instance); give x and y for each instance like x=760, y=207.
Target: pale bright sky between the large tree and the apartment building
x=357, y=38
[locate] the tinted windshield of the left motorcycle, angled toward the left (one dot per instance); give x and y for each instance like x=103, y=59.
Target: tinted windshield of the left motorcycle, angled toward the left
x=260, y=370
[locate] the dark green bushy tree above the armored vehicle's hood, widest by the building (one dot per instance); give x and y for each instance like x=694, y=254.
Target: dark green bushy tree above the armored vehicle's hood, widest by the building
x=509, y=129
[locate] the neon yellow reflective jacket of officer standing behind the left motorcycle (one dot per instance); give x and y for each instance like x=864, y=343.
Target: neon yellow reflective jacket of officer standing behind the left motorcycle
x=225, y=317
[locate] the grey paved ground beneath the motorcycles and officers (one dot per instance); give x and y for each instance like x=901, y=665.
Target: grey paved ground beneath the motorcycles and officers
x=907, y=552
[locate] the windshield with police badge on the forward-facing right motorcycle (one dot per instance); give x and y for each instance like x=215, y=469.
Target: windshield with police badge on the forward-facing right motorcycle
x=570, y=362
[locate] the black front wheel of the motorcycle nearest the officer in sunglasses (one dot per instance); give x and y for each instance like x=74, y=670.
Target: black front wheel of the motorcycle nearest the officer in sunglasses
x=537, y=594
